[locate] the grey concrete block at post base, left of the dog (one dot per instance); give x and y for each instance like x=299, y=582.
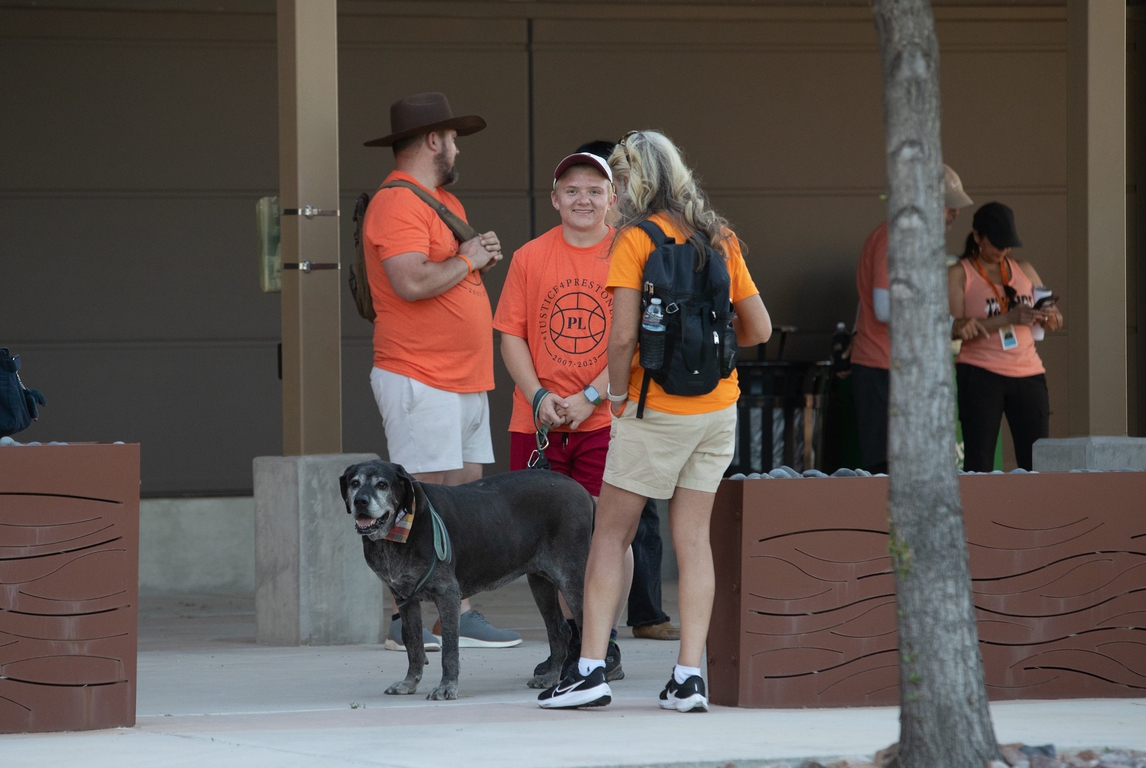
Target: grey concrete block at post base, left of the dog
x=312, y=585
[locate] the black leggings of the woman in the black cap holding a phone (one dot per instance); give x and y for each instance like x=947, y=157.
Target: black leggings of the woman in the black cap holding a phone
x=984, y=398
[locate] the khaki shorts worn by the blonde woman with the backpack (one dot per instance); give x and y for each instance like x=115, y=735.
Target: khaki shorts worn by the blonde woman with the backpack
x=655, y=456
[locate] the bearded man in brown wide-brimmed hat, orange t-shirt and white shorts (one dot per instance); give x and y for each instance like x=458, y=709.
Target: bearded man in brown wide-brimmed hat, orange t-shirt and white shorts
x=434, y=354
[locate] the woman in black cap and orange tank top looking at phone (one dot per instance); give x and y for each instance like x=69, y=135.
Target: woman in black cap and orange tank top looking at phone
x=999, y=372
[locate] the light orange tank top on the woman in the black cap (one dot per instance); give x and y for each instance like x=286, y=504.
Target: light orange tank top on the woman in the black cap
x=980, y=301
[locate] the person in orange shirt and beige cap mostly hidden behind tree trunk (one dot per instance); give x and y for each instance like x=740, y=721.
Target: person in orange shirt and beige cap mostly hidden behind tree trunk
x=872, y=349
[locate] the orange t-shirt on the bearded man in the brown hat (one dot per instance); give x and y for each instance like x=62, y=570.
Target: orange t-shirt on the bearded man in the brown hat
x=448, y=341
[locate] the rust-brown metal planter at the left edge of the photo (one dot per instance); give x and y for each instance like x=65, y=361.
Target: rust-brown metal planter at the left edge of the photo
x=69, y=576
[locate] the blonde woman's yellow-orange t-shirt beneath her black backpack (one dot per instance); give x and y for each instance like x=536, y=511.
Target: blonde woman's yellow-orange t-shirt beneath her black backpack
x=627, y=270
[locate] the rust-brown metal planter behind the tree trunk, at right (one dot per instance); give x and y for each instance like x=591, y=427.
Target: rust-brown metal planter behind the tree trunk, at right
x=805, y=610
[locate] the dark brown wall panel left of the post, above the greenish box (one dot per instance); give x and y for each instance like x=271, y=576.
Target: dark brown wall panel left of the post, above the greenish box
x=139, y=115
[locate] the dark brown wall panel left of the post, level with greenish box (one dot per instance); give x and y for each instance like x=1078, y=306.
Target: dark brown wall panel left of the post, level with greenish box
x=134, y=268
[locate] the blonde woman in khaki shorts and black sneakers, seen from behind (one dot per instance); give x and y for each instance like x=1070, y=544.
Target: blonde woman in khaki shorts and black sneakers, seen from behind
x=681, y=448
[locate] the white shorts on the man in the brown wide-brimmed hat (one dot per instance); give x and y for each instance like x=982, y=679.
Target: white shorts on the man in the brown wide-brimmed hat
x=430, y=430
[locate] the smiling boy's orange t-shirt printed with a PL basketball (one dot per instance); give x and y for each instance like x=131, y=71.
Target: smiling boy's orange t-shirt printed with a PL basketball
x=555, y=299
